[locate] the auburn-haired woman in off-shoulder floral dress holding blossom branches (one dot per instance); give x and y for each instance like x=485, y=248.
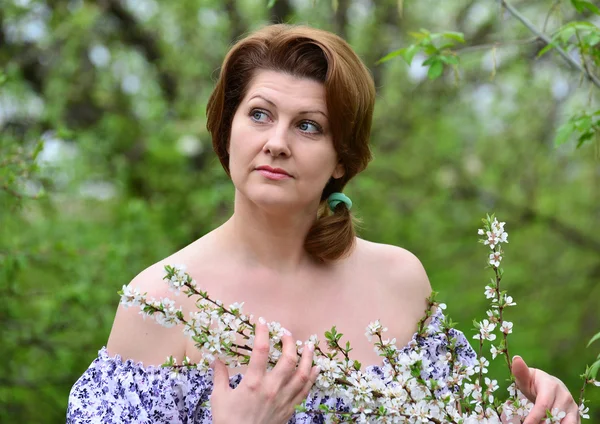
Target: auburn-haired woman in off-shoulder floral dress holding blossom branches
x=290, y=120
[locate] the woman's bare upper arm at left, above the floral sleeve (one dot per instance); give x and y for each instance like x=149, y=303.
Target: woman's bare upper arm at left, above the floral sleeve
x=141, y=338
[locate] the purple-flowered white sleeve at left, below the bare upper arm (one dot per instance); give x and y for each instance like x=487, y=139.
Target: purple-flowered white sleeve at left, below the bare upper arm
x=113, y=391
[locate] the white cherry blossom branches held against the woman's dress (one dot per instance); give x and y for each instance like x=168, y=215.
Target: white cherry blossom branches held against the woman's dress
x=400, y=391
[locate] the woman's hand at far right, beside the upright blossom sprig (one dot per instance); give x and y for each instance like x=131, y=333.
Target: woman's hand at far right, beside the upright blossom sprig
x=546, y=392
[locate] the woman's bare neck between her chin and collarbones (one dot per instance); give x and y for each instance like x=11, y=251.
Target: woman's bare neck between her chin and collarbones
x=271, y=240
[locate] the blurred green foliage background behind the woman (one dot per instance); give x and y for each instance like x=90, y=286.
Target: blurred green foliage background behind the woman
x=106, y=166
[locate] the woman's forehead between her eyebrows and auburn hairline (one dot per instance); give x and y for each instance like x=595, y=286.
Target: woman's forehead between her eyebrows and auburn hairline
x=287, y=90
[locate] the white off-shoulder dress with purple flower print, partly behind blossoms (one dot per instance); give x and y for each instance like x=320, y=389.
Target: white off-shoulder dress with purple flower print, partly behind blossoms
x=115, y=391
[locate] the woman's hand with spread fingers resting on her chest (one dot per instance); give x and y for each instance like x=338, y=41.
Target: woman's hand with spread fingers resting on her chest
x=264, y=397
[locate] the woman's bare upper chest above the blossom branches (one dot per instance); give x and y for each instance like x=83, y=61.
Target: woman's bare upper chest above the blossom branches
x=313, y=304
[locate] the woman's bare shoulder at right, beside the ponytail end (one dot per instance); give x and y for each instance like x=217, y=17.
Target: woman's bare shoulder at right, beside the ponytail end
x=399, y=269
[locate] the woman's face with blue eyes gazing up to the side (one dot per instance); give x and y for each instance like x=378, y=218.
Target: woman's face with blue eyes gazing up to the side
x=281, y=152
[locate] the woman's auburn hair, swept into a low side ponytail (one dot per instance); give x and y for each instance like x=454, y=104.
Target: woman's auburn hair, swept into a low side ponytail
x=322, y=56
